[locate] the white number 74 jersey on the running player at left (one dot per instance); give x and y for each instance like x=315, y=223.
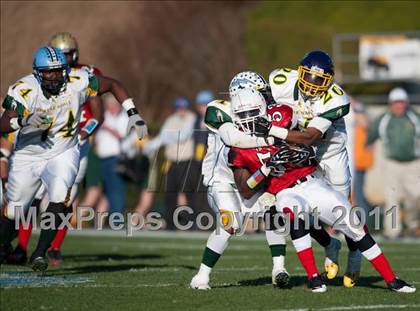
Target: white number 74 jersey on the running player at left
x=26, y=96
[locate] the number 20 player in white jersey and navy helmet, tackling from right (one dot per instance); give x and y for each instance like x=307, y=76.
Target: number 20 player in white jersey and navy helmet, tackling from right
x=320, y=105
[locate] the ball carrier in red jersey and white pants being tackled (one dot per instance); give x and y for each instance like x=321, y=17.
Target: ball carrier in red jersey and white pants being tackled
x=288, y=173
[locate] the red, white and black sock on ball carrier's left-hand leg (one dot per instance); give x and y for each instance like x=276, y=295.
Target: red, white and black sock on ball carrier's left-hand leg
x=302, y=242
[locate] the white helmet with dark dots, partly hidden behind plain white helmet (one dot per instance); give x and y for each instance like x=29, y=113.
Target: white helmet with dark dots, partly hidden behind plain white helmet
x=248, y=80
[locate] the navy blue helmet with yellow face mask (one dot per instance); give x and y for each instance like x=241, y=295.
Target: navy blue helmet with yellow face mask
x=315, y=74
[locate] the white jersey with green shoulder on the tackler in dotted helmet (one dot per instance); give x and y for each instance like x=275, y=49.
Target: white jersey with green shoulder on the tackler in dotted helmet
x=215, y=167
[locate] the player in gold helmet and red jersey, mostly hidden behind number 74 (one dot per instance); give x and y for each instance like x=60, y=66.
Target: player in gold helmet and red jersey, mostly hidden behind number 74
x=91, y=118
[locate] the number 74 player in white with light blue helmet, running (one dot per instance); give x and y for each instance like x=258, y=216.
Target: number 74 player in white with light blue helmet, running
x=45, y=107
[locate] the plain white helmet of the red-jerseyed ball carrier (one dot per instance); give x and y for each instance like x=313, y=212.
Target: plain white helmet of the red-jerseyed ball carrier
x=247, y=105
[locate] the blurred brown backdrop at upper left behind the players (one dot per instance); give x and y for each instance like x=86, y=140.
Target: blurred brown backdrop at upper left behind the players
x=159, y=49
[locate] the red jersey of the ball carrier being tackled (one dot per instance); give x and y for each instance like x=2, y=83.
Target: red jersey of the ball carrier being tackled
x=252, y=159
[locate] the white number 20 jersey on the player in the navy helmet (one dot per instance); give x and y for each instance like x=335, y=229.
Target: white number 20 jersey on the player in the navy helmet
x=326, y=113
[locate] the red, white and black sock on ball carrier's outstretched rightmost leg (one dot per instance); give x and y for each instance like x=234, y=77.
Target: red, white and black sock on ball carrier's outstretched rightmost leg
x=373, y=253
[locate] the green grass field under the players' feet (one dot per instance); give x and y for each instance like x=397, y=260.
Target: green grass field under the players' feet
x=152, y=272
